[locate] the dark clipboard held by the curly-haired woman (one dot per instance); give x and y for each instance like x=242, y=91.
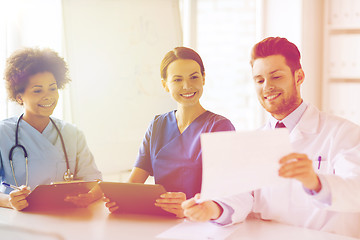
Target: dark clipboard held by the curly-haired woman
x=47, y=197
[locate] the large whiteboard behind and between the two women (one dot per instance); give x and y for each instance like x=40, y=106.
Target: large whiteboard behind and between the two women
x=114, y=49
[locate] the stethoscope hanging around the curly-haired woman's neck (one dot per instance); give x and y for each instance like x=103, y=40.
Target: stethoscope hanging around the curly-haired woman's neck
x=68, y=176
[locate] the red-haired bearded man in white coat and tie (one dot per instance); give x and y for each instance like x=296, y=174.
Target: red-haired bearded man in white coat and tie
x=323, y=191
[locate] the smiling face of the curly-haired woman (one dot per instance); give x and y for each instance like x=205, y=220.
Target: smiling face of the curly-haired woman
x=40, y=96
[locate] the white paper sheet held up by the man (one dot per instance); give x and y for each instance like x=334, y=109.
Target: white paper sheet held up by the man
x=235, y=162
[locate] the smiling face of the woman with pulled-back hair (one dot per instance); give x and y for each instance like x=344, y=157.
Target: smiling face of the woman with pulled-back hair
x=184, y=82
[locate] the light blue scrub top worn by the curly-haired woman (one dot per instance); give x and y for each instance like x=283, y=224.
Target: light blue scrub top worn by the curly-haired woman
x=45, y=154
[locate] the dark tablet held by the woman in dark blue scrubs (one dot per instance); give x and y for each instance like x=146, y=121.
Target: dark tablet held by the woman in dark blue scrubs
x=135, y=198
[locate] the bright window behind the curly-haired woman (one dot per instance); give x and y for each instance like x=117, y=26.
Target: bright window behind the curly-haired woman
x=23, y=23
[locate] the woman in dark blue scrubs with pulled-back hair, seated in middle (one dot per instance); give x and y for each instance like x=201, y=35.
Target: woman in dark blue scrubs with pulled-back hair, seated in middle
x=171, y=150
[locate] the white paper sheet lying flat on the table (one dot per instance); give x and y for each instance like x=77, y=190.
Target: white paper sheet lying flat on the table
x=198, y=231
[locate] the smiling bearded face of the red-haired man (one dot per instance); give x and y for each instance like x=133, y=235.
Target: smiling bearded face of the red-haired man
x=278, y=90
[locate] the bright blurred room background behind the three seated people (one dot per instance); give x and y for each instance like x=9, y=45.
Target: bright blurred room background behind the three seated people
x=114, y=49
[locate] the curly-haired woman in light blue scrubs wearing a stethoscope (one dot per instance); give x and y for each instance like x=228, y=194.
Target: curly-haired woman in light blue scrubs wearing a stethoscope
x=33, y=77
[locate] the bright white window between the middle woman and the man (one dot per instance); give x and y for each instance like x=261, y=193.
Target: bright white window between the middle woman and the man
x=225, y=33
